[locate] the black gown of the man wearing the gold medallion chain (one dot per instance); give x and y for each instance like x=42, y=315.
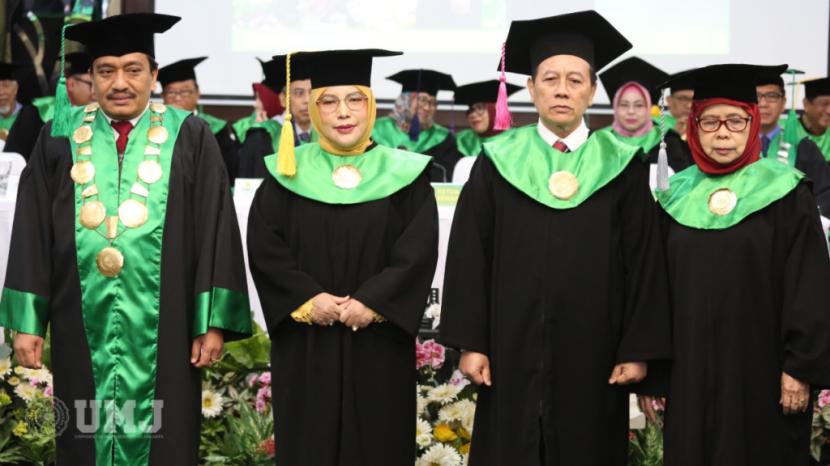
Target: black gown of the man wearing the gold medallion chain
x=201, y=249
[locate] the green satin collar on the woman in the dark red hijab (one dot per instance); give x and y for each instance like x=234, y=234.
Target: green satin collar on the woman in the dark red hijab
x=757, y=186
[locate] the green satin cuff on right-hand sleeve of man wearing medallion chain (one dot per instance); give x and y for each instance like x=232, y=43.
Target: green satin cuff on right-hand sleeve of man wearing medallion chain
x=209, y=307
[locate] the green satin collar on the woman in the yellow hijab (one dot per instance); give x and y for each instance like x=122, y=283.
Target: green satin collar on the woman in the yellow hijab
x=385, y=171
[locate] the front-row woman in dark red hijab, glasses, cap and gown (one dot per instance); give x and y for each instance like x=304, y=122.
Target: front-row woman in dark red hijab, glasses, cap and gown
x=748, y=268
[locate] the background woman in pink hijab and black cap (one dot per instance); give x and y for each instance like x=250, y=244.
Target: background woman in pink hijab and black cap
x=631, y=86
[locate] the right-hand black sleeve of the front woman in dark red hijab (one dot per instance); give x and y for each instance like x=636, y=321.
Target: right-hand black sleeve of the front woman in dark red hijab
x=805, y=318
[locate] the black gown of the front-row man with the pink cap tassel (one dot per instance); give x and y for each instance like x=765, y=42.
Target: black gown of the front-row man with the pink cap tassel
x=555, y=298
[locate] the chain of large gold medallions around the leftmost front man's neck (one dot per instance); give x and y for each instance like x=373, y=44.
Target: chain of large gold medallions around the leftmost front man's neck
x=132, y=213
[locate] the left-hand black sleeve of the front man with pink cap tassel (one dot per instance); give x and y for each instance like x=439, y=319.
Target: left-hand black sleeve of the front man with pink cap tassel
x=468, y=268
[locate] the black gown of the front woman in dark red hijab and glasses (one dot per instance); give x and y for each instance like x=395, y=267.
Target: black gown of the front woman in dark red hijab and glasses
x=750, y=302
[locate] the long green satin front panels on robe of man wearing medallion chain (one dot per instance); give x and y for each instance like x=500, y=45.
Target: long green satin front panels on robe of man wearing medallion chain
x=121, y=315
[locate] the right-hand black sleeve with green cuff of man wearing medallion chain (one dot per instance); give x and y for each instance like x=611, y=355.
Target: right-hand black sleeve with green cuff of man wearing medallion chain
x=220, y=268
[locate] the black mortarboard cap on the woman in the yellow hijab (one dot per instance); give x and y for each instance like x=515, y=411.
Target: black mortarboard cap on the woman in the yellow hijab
x=340, y=67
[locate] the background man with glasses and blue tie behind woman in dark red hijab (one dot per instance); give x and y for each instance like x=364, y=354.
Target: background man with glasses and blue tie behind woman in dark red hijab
x=804, y=154
